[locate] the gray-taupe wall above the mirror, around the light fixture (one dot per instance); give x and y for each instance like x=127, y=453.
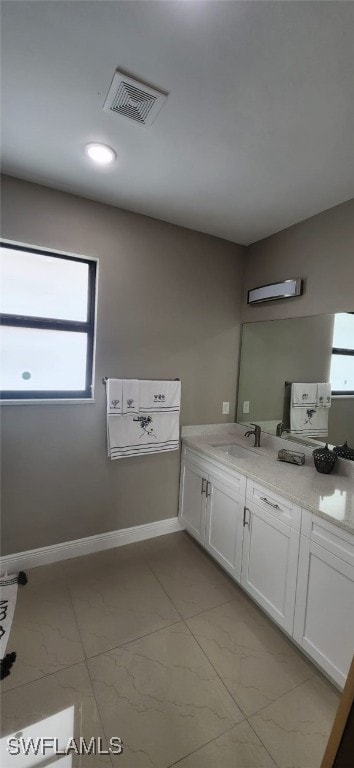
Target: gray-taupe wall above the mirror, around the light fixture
x=320, y=250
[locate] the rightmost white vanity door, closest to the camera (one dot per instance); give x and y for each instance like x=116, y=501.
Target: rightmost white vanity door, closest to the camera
x=324, y=614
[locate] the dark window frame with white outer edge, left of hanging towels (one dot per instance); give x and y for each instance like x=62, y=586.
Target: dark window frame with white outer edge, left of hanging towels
x=50, y=323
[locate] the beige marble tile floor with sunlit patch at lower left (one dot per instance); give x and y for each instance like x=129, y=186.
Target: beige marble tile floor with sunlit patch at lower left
x=153, y=643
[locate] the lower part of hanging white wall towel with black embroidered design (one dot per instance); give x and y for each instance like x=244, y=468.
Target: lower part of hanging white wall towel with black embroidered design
x=130, y=435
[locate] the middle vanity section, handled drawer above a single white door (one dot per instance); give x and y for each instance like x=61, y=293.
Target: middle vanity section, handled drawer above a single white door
x=270, y=552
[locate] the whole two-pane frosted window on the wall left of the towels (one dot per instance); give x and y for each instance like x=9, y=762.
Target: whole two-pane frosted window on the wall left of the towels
x=47, y=303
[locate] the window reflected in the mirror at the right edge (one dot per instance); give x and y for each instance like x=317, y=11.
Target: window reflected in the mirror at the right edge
x=342, y=361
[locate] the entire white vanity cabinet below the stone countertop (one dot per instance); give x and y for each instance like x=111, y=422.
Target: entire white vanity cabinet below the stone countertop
x=297, y=566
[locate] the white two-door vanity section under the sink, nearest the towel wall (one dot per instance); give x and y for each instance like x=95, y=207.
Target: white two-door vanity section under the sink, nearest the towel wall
x=212, y=508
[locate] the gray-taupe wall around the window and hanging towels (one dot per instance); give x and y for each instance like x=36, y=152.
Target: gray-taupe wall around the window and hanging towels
x=169, y=304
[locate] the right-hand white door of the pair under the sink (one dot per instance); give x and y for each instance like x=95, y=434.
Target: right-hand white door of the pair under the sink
x=224, y=529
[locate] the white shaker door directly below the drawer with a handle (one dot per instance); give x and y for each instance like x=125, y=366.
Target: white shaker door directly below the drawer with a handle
x=269, y=564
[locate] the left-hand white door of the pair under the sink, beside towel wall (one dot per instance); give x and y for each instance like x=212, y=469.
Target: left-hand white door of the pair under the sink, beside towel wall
x=193, y=500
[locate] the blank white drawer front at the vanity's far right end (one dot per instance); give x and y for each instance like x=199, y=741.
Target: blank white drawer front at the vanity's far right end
x=332, y=537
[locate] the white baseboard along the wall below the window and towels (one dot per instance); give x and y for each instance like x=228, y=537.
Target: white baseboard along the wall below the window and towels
x=52, y=554
